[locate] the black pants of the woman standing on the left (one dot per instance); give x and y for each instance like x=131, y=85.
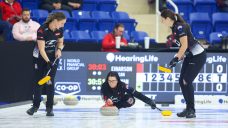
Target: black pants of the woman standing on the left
x=40, y=71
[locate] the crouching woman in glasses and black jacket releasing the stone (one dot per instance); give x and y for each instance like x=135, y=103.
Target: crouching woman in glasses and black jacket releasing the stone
x=117, y=93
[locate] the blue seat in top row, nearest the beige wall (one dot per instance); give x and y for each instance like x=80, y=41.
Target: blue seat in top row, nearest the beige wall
x=107, y=5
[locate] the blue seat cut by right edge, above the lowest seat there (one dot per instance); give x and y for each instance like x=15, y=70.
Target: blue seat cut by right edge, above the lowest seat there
x=220, y=22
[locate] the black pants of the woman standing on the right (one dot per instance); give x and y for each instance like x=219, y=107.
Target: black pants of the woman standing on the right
x=190, y=69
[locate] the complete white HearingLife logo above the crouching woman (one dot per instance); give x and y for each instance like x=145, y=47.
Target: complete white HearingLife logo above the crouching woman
x=133, y=58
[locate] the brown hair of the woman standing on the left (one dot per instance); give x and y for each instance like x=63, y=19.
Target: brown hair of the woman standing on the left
x=56, y=15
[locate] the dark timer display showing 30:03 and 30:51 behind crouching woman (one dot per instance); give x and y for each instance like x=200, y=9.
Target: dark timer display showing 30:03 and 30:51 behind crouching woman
x=97, y=74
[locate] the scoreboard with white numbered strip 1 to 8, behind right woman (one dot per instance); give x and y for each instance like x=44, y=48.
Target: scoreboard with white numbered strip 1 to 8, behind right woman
x=212, y=78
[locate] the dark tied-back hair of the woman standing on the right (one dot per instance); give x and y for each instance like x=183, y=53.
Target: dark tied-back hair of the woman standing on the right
x=173, y=16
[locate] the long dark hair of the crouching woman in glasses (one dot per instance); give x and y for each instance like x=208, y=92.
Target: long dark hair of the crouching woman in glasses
x=105, y=88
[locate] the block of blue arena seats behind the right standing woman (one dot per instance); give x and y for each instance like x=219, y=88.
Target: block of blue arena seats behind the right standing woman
x=203, y=26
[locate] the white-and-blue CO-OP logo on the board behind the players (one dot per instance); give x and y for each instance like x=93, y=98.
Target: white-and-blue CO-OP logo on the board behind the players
x=67, y=88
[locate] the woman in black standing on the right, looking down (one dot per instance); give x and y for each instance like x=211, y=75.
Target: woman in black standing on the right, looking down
x=193, y=54
